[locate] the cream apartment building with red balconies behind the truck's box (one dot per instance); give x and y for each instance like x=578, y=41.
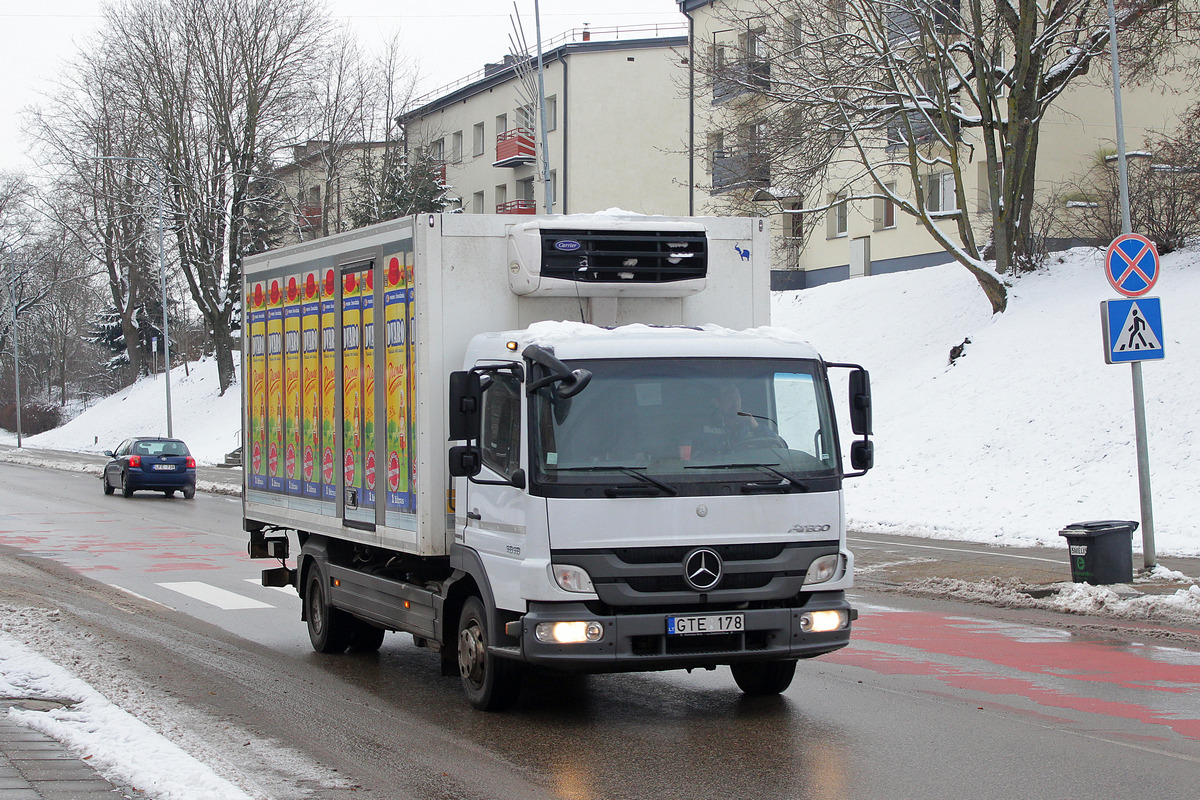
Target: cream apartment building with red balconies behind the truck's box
x=616, y=119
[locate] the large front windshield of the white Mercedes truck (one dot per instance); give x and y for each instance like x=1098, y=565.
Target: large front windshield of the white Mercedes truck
x=653, y=426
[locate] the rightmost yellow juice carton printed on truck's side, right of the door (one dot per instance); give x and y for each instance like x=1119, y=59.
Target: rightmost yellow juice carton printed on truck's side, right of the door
x=397, y=366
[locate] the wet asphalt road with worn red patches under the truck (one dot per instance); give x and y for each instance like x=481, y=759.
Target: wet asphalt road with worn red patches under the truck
x=933, y=699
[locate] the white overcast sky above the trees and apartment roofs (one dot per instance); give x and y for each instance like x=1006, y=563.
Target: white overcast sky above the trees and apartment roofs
x=449, y=39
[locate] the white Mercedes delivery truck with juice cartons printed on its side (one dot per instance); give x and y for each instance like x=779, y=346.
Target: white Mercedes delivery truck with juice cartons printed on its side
x=577, y=446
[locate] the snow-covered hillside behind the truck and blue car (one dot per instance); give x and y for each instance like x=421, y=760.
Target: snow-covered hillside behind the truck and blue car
x=1027, y=432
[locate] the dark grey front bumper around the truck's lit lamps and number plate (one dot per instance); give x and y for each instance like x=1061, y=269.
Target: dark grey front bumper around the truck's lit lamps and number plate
x=640, y=642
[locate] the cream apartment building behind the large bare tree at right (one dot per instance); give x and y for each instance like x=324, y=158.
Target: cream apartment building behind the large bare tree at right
x=865, y=237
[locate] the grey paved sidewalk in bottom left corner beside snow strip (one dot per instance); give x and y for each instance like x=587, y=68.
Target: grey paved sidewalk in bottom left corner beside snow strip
x=34, y=767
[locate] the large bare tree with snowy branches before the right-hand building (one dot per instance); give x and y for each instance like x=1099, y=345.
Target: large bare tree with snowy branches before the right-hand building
x=853, y=95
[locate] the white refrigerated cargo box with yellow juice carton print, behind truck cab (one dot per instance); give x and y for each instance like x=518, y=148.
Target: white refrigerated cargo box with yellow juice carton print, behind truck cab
x=346, y=430
